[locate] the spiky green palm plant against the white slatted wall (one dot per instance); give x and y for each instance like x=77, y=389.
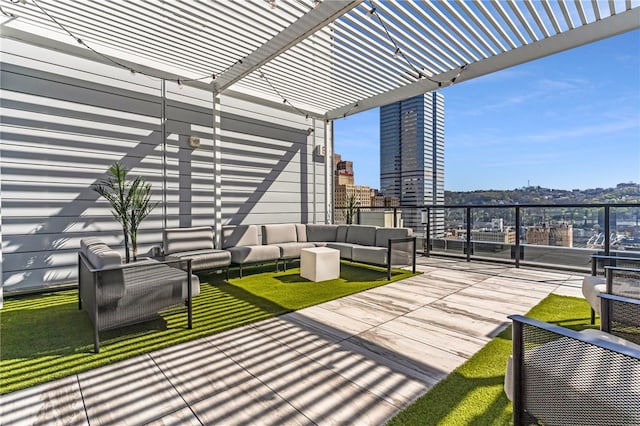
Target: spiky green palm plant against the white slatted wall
x=130, y=203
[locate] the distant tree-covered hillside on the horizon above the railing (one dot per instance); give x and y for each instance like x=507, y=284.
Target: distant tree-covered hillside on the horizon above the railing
x=622, y=193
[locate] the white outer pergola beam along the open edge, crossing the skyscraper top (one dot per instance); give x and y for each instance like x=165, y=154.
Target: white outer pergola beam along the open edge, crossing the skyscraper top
x=607, y=27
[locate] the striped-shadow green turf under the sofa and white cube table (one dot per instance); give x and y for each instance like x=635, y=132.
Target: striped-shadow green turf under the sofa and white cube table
x=46, y=337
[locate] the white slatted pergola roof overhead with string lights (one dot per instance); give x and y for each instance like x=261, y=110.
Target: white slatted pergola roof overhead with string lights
x=326, y=59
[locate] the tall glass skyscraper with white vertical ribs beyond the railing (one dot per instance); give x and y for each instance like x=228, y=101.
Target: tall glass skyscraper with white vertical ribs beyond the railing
x=412, y=157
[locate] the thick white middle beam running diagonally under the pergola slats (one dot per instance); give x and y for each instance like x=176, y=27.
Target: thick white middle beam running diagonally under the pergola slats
x=317, y=18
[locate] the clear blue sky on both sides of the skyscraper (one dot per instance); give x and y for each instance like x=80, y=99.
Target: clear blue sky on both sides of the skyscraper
x=568, y=121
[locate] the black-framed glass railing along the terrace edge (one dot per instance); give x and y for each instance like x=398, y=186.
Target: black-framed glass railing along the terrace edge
x=560, y=235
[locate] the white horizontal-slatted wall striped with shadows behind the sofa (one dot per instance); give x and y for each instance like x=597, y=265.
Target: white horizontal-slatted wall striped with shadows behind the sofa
x=65, y=119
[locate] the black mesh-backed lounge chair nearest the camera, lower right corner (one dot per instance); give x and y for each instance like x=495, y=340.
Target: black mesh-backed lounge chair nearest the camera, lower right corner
x=558, y=376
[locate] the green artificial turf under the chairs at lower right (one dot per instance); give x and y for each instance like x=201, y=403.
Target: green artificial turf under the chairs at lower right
x=473, y=394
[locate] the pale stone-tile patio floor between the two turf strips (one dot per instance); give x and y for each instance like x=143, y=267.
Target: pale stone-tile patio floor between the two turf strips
x=355, y=360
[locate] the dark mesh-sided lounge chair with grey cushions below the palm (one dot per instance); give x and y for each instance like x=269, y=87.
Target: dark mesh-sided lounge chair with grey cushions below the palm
x=115, y=295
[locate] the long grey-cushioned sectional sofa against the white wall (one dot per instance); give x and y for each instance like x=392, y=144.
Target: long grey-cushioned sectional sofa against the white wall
x=242, y=244
